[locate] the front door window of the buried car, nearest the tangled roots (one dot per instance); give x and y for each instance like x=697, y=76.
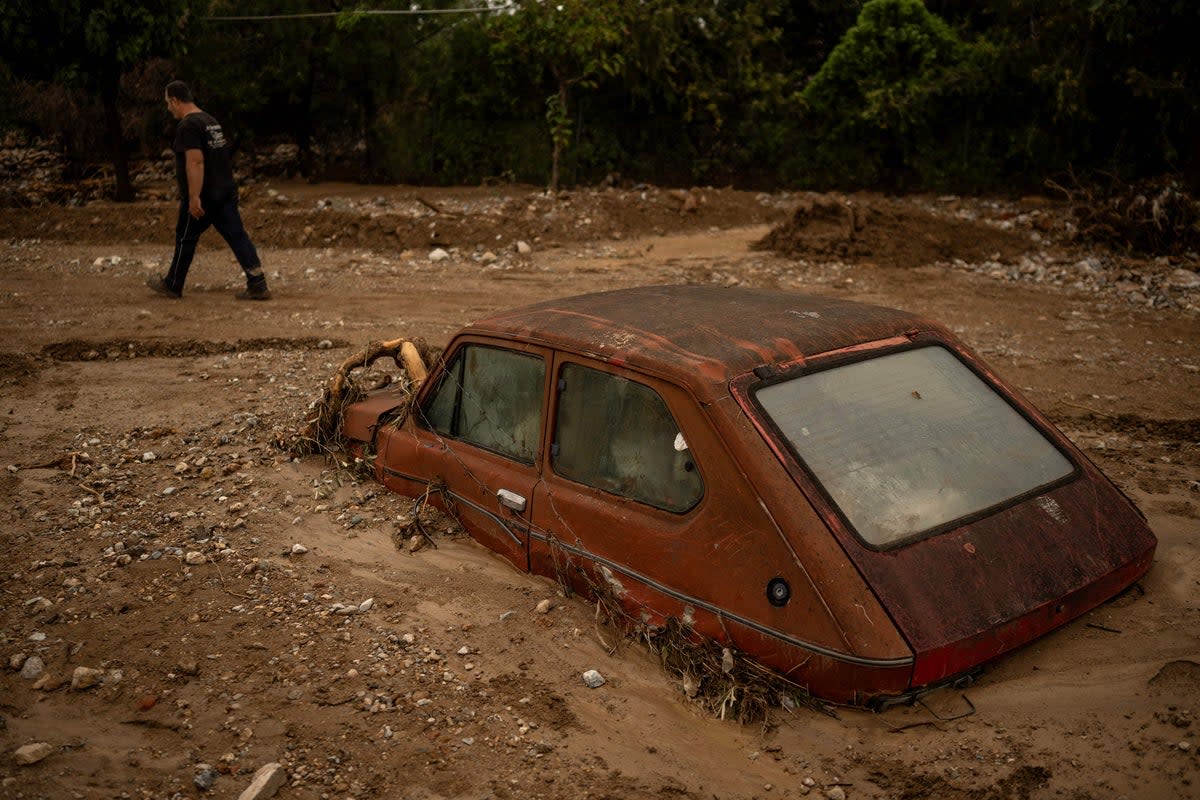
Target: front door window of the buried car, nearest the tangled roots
x=493, y=399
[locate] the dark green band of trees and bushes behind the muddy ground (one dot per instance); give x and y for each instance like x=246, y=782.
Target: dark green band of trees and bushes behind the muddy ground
x=947, y=95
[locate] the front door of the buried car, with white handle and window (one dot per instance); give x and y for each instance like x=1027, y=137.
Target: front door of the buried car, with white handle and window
x=478, y=441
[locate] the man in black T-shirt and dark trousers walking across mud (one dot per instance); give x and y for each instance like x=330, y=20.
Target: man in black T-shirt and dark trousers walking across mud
x=208, y=197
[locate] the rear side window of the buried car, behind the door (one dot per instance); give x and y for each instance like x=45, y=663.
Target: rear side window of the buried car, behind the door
x=619, y=436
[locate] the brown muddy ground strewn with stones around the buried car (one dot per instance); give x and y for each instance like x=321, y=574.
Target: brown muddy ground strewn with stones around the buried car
x=149, y=526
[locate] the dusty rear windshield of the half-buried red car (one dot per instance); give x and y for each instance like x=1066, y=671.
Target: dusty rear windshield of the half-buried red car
x=910, y=442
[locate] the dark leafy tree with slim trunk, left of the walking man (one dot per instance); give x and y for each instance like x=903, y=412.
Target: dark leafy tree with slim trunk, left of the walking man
x=92, y=45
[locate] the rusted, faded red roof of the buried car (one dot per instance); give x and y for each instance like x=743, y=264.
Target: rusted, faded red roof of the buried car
x=700, y=334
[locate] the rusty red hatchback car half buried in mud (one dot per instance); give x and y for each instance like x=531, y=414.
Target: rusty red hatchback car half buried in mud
x=841, y=492
